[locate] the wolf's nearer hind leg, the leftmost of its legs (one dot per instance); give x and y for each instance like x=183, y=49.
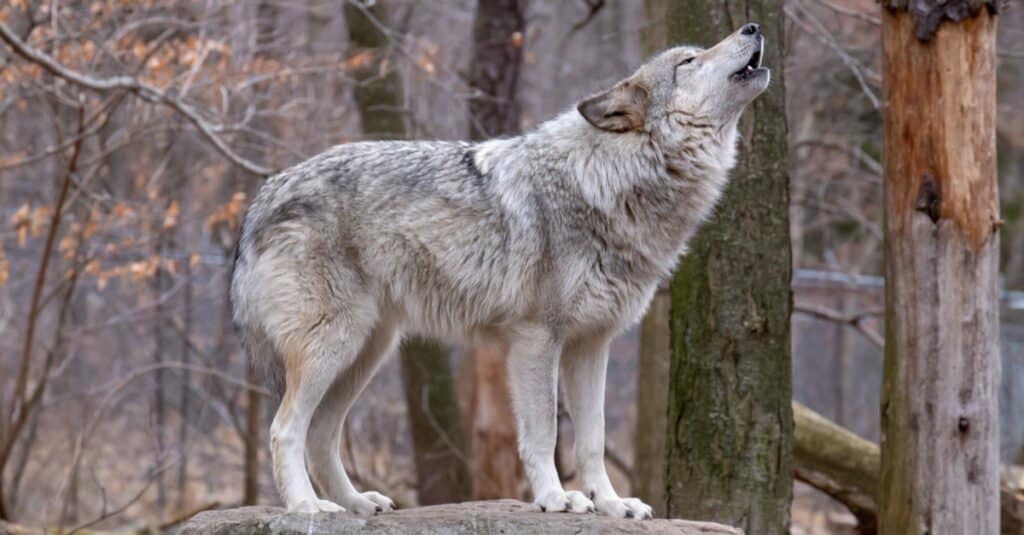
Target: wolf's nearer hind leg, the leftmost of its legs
x=313, y=360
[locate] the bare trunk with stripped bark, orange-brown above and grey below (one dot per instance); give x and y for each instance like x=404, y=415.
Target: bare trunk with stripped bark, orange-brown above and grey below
x=941, y=455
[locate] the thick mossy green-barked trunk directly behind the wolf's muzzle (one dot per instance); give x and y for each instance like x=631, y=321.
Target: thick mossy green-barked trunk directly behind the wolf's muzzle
x=730, y=421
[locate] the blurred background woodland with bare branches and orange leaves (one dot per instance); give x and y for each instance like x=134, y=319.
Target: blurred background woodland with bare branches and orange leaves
x=135, y=133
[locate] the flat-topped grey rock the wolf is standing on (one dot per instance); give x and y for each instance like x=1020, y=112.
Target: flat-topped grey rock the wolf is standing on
x=501, y=517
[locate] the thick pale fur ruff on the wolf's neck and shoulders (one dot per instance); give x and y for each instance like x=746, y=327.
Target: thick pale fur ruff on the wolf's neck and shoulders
x=648, y=192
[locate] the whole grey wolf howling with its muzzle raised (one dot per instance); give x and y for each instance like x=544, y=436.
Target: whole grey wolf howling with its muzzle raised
x=546, y=245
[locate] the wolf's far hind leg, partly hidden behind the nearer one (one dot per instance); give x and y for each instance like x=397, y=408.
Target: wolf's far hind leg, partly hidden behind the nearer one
x=324, y=443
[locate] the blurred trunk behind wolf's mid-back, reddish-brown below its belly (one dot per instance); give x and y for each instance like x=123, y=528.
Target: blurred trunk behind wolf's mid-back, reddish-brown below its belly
x=498, y=33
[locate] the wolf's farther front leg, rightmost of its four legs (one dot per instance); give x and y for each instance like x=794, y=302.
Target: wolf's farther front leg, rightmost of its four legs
x=584, y=367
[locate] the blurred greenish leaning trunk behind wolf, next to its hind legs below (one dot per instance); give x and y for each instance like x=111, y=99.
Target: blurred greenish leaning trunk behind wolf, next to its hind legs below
x=434, y=410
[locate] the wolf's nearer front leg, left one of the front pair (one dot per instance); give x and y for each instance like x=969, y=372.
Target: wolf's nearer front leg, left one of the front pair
x=533, y=362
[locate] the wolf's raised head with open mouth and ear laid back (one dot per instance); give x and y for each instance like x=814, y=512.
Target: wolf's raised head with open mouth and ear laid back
x=686, y=85
